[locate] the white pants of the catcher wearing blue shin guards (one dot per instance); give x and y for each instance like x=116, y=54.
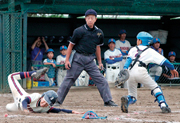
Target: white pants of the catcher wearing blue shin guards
x=139, y=75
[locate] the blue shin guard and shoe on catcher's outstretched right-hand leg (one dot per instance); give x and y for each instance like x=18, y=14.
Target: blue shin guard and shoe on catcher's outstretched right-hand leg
x=157, y=92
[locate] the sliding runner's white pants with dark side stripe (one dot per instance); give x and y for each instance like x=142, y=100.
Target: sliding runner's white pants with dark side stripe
x=18, y=92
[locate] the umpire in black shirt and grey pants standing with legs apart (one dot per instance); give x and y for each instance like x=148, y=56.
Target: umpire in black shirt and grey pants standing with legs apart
x=86, y=40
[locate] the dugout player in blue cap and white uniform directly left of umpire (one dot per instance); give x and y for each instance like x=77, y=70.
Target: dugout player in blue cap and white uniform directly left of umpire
x=61, y=60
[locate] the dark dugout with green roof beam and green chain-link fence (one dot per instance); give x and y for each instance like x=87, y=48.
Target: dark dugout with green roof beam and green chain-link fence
x=17, y=31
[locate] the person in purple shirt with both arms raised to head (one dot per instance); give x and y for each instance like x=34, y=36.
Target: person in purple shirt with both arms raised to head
x=37, y=52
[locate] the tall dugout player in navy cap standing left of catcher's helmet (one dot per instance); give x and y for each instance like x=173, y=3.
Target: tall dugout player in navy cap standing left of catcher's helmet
x=123, y=45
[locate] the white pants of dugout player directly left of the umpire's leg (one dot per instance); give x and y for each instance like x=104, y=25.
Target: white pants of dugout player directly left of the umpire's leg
x=60, y=76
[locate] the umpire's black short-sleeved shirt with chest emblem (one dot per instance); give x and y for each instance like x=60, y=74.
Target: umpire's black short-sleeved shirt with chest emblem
x=86, y=39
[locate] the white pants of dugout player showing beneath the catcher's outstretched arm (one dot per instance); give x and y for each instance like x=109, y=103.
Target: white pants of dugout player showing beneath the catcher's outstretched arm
x=155, y=71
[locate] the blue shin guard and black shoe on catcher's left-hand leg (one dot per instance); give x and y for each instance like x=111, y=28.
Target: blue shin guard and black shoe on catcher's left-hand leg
x=125, y=101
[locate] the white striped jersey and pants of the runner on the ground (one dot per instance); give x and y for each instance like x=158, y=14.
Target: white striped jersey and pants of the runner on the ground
x=19, y=95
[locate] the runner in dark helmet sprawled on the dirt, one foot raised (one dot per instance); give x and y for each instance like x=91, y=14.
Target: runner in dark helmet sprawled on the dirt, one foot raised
x=35, y=102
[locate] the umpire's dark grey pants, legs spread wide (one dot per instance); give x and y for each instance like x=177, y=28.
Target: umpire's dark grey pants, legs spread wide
x=82, y=62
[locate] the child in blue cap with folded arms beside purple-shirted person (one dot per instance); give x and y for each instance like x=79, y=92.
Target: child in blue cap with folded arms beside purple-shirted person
x=50, y=74
